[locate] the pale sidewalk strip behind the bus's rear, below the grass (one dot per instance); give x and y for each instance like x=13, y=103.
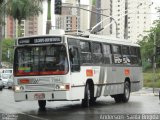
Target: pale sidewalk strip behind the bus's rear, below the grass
x=147, y=91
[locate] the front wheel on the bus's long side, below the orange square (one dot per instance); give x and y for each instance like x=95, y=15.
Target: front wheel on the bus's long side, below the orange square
x=87, y=96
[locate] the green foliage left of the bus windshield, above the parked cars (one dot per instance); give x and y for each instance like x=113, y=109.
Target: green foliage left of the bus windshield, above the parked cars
x=7, y=45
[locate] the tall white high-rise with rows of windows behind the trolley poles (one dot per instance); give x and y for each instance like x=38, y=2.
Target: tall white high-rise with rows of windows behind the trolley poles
x=129, y=18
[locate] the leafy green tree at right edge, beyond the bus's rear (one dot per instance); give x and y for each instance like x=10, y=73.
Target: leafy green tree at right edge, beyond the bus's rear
x=147, y=45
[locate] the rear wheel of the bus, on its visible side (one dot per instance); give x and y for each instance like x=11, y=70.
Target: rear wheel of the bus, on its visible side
x=126, y=94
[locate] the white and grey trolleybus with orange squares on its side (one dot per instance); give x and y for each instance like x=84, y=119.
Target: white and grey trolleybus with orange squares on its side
x=92, y=66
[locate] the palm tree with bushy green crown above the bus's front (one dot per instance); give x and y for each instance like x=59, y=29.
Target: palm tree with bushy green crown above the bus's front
x=23, y=9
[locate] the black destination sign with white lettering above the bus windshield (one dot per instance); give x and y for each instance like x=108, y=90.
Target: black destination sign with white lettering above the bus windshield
x=38, y=40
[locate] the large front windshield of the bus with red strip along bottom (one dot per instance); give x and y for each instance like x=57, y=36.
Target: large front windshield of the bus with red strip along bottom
x=41, y=60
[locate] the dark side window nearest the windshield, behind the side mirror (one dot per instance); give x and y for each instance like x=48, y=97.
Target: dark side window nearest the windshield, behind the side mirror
x=74, y=59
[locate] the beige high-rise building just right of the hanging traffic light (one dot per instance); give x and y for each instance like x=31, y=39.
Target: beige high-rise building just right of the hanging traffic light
x=80, y=17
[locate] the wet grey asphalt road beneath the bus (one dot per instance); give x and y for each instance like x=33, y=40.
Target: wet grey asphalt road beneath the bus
x=140, y=103
